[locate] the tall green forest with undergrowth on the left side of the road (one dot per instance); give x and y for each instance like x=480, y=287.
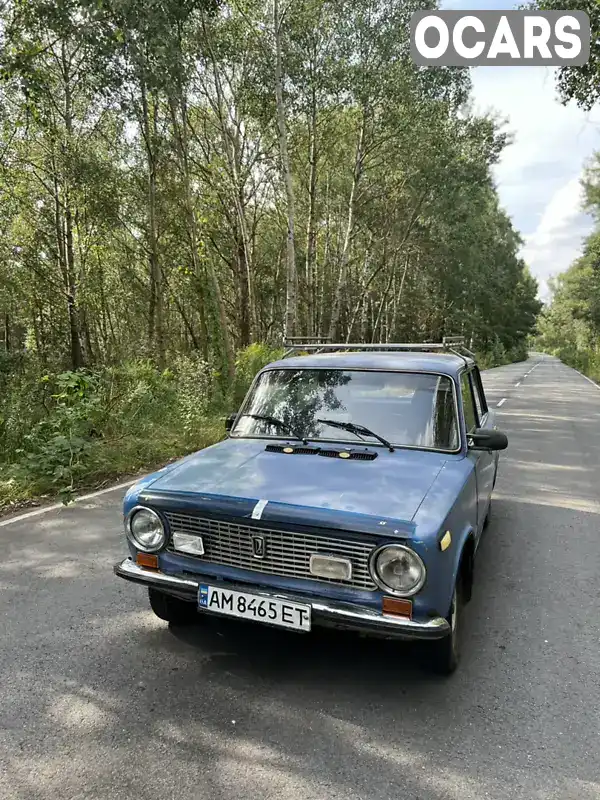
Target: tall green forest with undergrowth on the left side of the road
x=185, y=184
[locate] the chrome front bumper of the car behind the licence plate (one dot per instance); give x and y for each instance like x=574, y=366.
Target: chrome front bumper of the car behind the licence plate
x=326, y=613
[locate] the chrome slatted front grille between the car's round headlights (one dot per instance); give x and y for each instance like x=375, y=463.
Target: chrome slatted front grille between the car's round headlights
x=287, y=553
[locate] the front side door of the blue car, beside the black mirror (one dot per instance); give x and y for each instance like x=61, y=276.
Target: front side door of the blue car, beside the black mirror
x=477, y=416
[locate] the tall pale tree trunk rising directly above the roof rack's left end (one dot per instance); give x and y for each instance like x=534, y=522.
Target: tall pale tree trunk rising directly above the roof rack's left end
x=291, y=294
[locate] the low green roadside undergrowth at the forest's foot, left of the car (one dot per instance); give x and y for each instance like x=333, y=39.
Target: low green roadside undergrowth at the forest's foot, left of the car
x=71, y=429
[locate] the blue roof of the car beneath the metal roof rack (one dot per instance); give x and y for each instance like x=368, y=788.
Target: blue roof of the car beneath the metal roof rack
x=441, y=363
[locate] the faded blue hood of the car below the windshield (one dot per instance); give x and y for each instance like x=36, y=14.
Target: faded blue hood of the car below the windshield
x=391, y=487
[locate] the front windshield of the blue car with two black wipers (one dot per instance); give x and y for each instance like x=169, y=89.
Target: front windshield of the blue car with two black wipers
x=409, y=409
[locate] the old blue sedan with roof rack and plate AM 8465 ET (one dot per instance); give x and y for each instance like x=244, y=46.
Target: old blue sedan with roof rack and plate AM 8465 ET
x=351, y=491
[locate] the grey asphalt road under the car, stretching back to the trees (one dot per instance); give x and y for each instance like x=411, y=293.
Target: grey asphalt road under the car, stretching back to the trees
x=99, y=699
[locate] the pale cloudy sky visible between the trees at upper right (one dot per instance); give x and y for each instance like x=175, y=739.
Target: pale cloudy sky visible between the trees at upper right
x=539, y=174
